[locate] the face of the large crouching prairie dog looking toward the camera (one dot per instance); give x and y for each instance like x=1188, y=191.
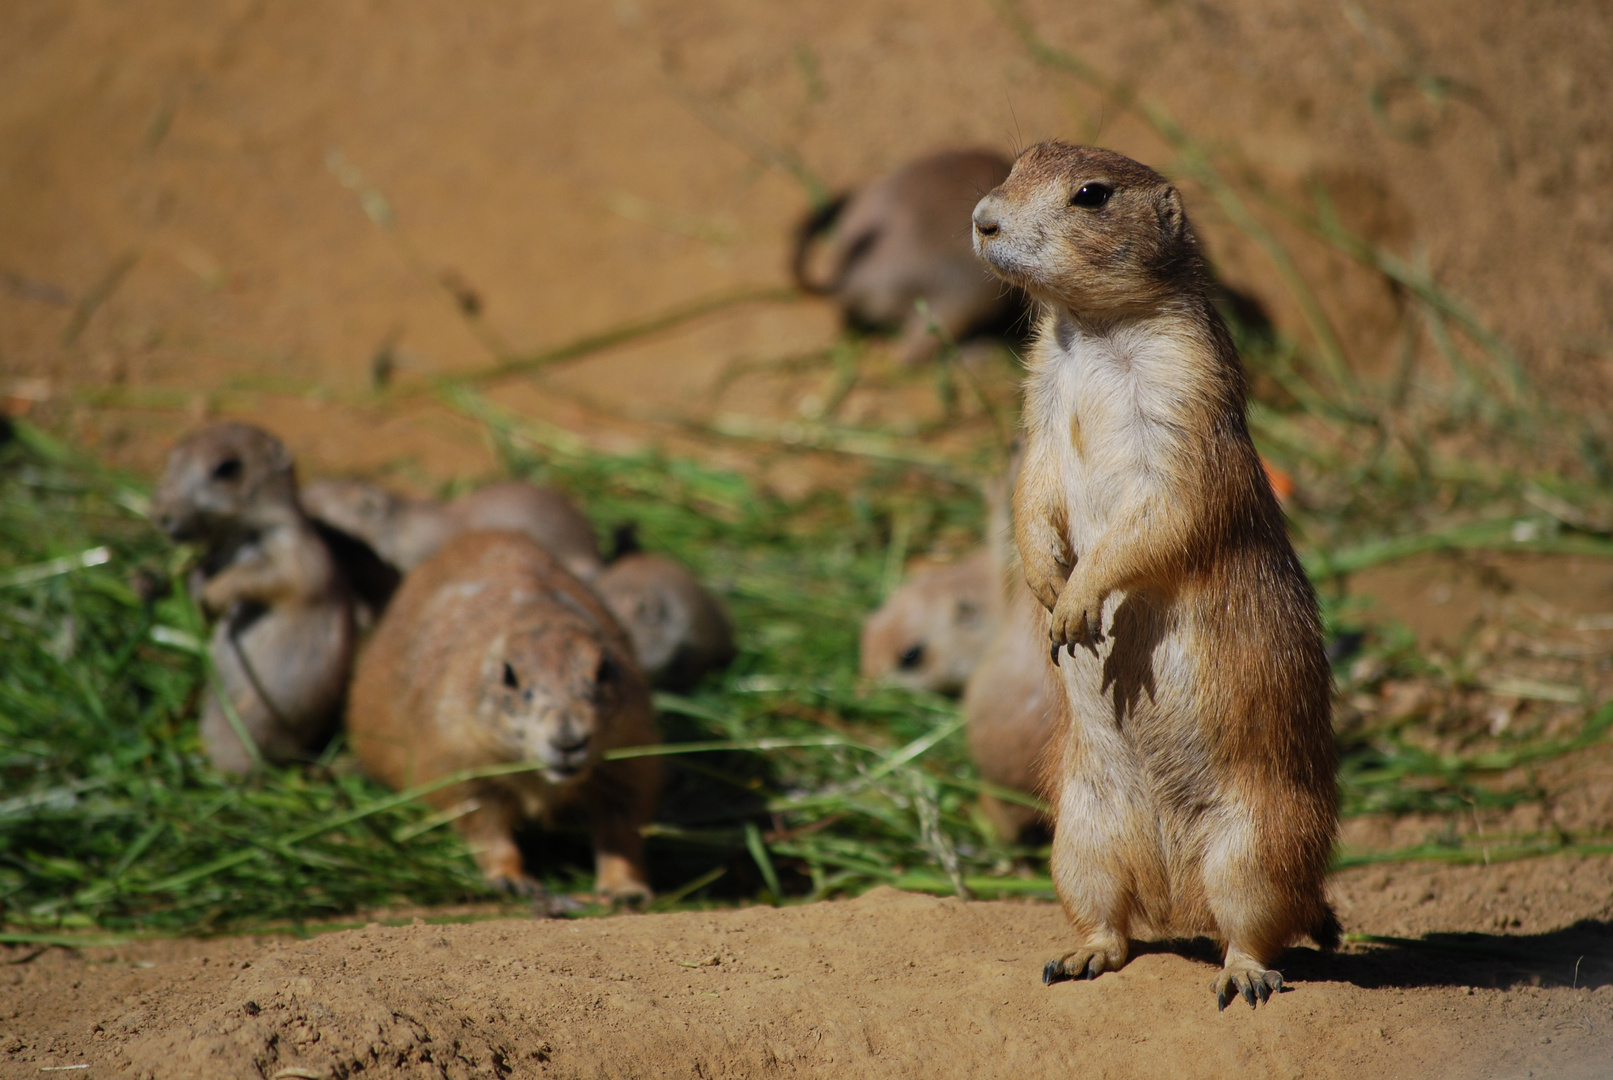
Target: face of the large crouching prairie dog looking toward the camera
x=551, y=694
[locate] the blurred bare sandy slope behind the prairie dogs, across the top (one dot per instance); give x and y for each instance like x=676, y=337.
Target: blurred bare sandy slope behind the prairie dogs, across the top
x=238, y=209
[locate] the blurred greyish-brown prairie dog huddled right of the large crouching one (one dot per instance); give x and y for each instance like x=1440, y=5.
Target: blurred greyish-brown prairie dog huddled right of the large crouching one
x=678, y=629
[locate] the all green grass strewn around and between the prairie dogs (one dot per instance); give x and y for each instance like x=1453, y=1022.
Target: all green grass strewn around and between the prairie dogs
x=790, y=778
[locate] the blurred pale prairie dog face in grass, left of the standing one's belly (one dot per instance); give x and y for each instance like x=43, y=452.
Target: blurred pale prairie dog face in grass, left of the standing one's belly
x=932, y=633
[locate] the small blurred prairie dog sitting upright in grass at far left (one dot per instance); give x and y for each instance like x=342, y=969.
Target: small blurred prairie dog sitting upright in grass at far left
x=283, y=644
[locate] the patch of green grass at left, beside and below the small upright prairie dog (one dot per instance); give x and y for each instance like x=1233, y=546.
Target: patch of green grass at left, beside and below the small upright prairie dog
x=107, y=807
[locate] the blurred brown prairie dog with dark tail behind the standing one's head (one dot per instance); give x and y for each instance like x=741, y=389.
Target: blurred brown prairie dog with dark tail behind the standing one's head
x=906, y=239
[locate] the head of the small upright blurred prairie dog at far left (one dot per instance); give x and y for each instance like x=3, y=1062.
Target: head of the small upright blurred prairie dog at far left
x=222, y=480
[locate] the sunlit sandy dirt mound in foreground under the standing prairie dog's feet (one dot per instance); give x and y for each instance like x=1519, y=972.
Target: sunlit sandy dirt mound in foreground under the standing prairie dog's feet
x=891, y=984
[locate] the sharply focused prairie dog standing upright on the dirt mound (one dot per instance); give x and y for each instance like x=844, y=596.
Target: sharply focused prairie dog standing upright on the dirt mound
x=1194, y=787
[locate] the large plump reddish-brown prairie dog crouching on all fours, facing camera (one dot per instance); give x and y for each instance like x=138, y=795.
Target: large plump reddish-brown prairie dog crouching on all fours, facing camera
x=493, y=654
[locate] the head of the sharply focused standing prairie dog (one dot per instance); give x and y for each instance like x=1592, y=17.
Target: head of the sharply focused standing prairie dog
x=1086, y=230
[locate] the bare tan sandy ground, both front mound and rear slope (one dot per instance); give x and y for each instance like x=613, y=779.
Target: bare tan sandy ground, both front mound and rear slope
x=233, y=209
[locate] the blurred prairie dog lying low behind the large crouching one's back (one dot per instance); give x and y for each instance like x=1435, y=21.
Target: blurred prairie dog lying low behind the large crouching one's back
x=407, y=531
